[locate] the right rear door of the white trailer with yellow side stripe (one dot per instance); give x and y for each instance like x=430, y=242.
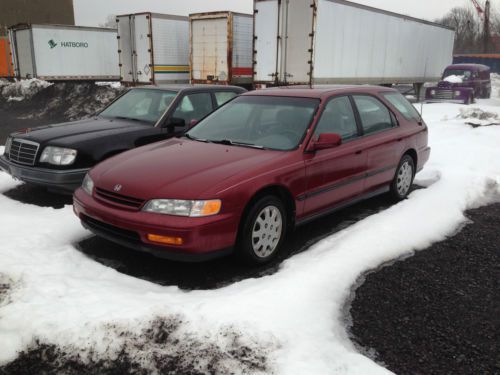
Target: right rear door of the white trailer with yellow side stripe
x=143, y=48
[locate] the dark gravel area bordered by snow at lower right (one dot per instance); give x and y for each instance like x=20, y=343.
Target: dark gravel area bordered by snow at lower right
x=437, y=312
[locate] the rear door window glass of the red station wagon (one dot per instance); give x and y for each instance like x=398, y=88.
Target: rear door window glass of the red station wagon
x=374, y=114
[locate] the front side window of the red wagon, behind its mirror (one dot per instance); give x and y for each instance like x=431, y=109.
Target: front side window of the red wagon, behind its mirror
x=338, y=117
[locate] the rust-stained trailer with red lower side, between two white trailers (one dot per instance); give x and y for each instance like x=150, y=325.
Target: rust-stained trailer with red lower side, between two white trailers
x=221, y=48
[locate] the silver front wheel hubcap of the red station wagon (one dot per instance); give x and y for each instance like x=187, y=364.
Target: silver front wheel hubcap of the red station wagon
x=266, y=231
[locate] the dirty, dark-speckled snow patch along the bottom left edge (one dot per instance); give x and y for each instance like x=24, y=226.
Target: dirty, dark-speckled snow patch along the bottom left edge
x=163, y=347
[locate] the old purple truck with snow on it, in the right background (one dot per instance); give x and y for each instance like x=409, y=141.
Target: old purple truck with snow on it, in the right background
x=461, y=83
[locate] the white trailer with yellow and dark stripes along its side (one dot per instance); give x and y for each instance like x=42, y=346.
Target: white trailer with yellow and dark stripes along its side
x=153, y=48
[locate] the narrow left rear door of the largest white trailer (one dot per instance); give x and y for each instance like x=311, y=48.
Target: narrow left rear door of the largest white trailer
x=267, y=40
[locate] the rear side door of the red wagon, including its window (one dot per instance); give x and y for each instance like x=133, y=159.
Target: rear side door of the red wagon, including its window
x=382, y=139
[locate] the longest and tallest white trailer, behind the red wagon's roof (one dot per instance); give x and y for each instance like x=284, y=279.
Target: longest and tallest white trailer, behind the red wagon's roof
x=337, y=41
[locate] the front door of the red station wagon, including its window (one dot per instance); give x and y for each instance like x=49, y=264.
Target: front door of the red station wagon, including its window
x=335, y=175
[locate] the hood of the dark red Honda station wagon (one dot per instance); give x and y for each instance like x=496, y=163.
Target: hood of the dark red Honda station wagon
x=181, y=169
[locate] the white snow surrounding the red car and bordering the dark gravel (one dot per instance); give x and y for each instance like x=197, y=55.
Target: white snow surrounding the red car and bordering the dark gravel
x=296, y=318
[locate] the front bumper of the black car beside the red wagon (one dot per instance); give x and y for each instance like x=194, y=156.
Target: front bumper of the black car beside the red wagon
x=64, y=181
